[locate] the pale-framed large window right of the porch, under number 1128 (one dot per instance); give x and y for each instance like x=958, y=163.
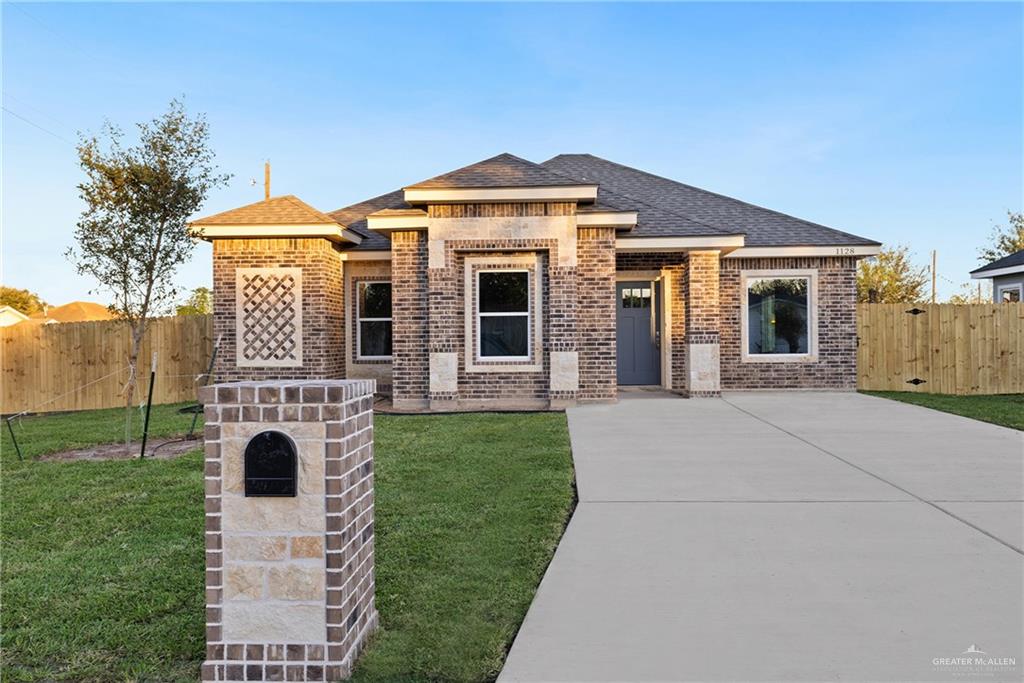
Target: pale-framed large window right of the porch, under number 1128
x=780, y=316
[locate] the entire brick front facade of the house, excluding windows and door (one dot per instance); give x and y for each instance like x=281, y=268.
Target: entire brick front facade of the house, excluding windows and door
x=435, y=365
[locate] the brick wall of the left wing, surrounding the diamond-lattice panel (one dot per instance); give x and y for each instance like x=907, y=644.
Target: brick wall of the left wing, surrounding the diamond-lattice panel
x=323, y=308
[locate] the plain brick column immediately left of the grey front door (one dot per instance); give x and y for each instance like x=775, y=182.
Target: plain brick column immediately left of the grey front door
x=596, y=314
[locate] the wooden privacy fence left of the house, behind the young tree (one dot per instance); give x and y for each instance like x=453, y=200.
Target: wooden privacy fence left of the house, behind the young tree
x=80, y=366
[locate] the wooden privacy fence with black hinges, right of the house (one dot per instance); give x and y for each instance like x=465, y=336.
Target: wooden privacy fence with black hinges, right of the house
x=942, y=349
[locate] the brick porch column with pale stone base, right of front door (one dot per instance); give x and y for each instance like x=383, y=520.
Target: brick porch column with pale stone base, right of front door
x=703, y=373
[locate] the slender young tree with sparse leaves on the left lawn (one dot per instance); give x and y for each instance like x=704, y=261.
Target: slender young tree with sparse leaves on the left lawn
x=134, y=233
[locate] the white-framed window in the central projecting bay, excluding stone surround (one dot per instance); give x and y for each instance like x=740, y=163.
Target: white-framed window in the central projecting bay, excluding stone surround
x=503, y=312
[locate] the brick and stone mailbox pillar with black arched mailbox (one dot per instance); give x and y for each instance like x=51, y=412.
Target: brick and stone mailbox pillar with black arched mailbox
x=289, y=529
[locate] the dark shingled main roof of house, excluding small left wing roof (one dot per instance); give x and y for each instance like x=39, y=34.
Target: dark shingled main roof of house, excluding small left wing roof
x=665, y=208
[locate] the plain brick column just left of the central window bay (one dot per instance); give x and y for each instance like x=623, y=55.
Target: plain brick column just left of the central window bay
x=411, y=335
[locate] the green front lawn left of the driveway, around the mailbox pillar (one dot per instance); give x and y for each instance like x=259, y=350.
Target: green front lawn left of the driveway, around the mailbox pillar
x=103, y=562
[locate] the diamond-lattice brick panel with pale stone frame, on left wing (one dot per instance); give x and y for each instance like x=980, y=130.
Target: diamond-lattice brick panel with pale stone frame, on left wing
x=270, y=317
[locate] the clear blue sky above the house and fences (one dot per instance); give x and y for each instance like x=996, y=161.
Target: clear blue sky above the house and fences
x=900, y=122
